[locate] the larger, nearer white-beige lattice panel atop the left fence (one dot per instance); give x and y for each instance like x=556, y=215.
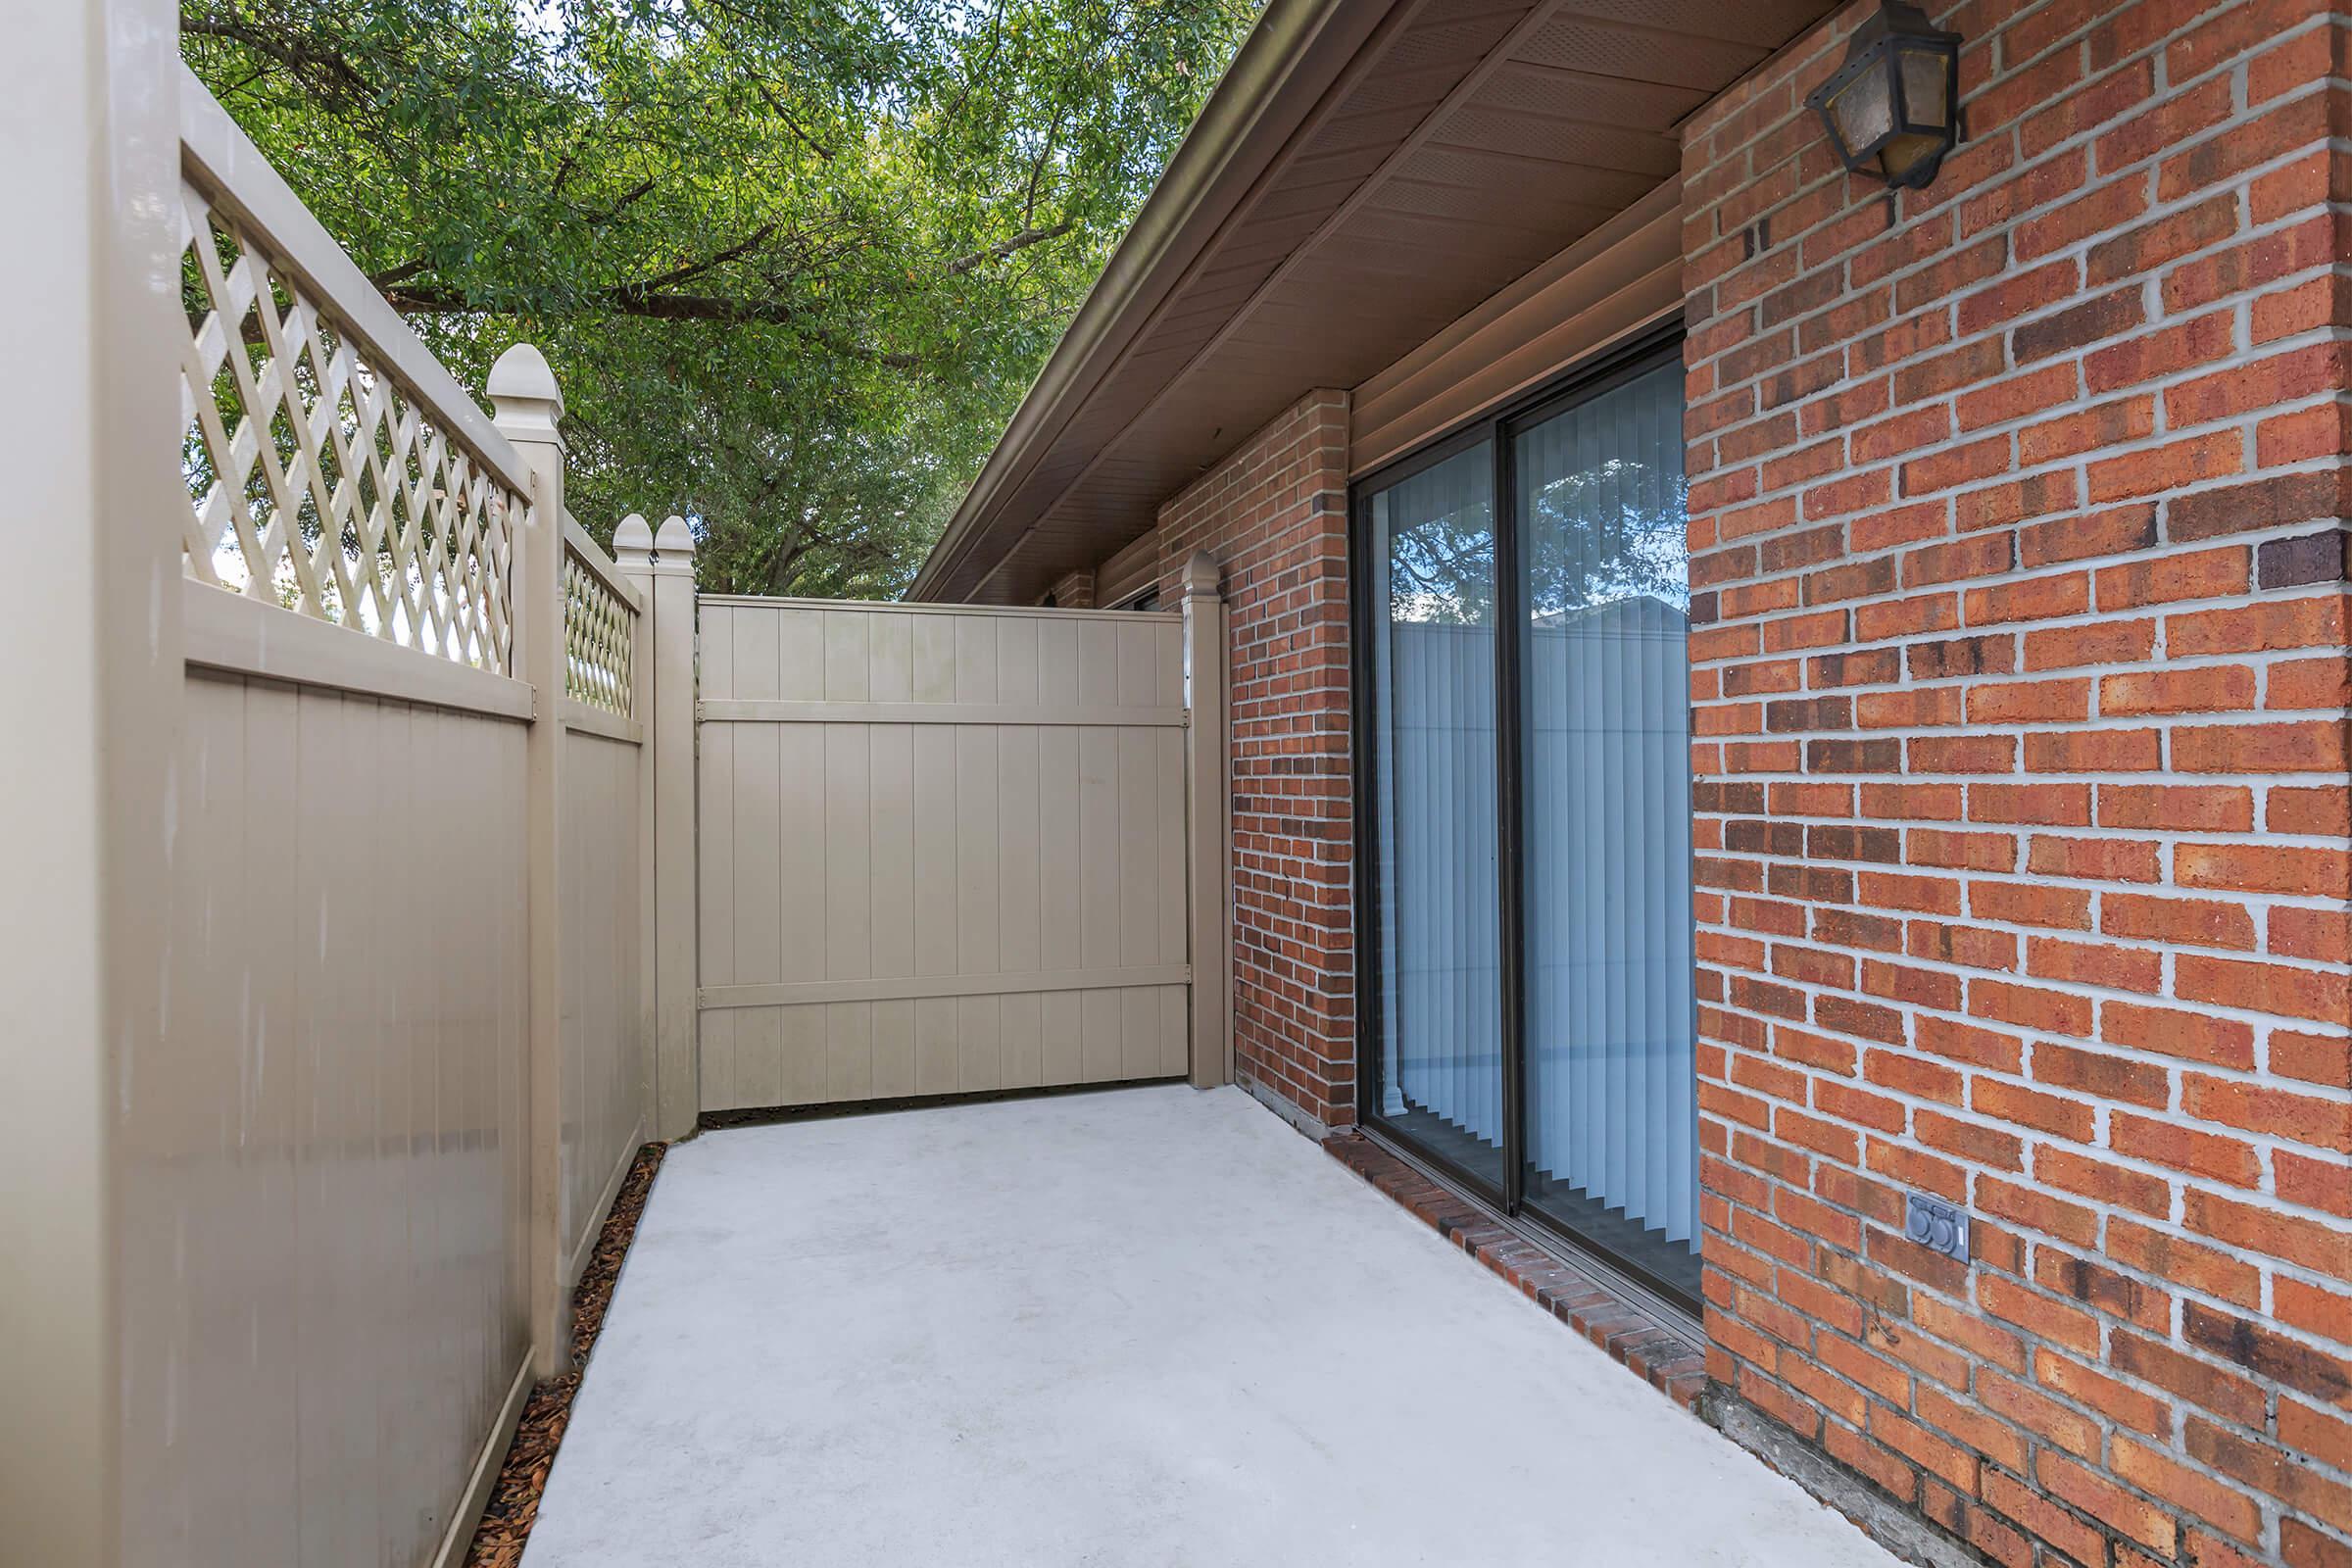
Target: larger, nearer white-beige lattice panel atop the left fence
x=319, y=478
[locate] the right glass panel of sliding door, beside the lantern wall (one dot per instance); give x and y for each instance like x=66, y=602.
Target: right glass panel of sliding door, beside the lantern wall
x=1610, y=1076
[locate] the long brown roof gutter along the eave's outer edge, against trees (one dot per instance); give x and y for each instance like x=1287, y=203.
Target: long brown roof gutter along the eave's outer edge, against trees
x=1274, y=83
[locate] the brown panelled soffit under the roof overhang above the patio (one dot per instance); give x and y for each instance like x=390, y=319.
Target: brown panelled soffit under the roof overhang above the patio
x=1457, y=152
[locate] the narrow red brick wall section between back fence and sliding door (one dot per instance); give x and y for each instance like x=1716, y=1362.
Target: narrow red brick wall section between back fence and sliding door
x=1276, y=518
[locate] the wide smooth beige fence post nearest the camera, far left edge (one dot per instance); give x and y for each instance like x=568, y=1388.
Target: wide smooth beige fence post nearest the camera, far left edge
x=91, y=429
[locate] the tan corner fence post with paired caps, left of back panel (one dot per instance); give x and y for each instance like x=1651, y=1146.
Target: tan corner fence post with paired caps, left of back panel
x=662, y=568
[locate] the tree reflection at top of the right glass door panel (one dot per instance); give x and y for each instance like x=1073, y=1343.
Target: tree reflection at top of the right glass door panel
x=1608, y=532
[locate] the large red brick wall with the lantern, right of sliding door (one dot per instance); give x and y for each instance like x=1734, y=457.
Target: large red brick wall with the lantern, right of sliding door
x=2022, y=779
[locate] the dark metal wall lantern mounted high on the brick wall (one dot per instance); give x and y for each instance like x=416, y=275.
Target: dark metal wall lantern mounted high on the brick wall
x=1895, y=105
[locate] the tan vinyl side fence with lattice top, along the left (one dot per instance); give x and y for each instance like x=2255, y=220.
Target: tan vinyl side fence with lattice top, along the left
x=403, y=939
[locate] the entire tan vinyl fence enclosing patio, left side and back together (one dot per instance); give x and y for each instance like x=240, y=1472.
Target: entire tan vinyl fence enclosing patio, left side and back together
x=354, y=793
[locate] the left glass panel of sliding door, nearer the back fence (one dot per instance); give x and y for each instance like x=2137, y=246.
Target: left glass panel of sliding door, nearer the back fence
x=1434, y=629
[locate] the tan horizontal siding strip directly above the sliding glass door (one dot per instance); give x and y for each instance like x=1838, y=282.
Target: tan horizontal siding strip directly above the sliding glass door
x=1612, y=283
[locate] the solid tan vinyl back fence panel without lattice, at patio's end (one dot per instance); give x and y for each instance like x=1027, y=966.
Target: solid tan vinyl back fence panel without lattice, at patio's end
x=942, y=852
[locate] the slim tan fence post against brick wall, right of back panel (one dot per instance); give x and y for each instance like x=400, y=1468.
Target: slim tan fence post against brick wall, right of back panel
x=1208, y=805
